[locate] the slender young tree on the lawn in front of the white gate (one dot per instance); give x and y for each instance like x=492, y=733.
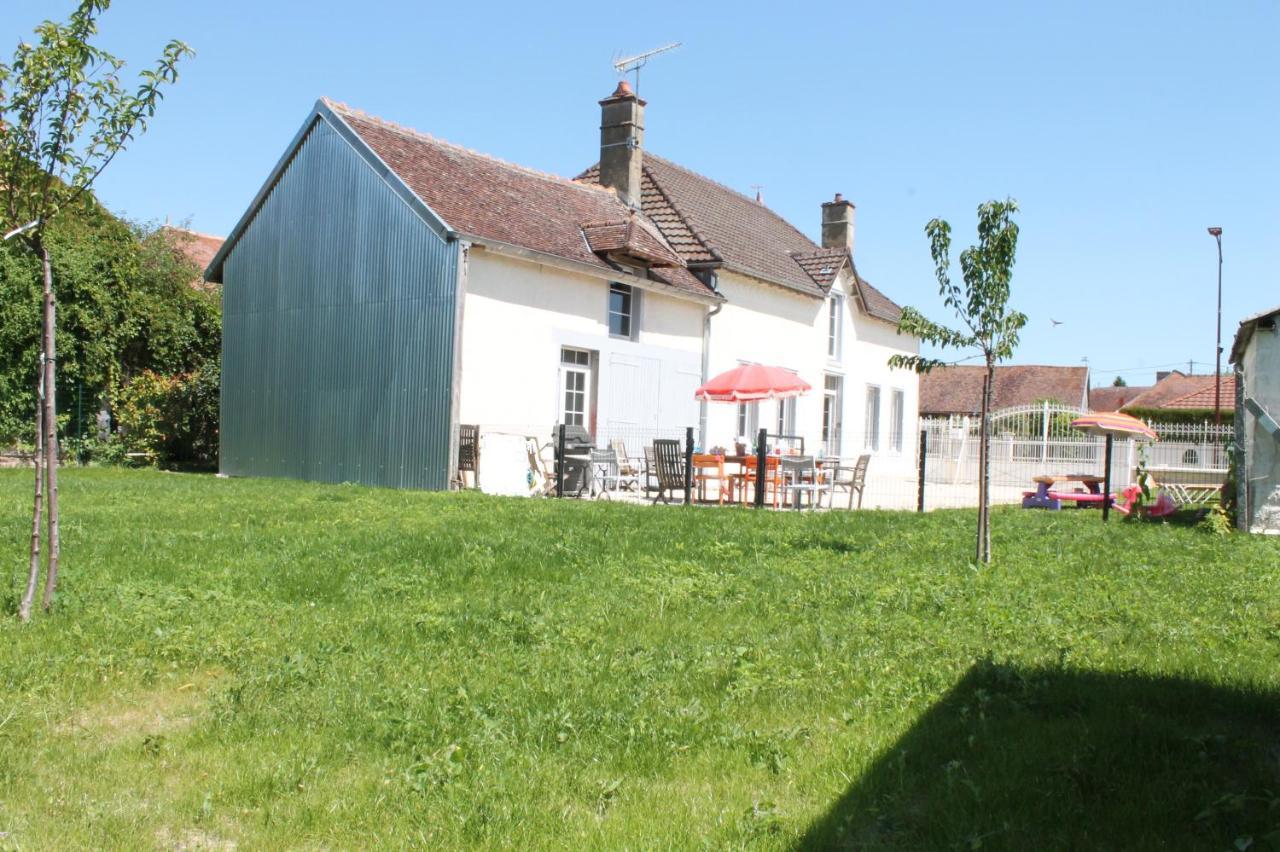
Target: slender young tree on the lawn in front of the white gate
x=982, y=306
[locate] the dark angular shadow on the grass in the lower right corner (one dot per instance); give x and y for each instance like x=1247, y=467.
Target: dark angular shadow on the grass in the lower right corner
x=1022, y=759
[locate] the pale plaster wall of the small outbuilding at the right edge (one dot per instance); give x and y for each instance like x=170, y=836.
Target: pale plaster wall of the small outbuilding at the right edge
x=1263, y=383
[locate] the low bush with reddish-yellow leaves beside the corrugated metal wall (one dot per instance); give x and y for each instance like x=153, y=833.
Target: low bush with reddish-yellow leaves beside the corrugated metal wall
x=172, y=420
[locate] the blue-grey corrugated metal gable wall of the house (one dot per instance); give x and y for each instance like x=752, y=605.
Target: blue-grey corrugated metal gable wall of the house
x=339, y=333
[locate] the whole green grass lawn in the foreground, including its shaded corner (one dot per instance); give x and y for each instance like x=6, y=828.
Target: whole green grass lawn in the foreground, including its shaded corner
x=281, y=665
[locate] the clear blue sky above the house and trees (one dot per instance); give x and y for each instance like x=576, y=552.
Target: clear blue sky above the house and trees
x=1123, y=130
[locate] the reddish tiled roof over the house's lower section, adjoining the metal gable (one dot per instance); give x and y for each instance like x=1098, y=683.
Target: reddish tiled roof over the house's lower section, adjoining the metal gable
x=490, y=199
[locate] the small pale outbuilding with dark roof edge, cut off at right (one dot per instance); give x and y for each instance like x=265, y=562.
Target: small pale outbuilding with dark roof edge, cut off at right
x=1256, y=355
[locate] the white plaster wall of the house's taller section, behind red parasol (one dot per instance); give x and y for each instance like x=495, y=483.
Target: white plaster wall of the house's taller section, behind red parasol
x=769, y=324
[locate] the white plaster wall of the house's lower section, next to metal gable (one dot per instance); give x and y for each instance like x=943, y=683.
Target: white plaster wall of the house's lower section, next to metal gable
x=518, y=315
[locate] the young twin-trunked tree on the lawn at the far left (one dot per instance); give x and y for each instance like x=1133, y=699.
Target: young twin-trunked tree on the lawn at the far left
x=65, y=116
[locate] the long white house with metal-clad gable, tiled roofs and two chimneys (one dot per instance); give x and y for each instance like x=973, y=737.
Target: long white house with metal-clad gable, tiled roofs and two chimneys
x=386, y=287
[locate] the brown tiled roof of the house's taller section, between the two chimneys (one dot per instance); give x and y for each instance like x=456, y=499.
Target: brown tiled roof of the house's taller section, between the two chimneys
x=710, y=225
